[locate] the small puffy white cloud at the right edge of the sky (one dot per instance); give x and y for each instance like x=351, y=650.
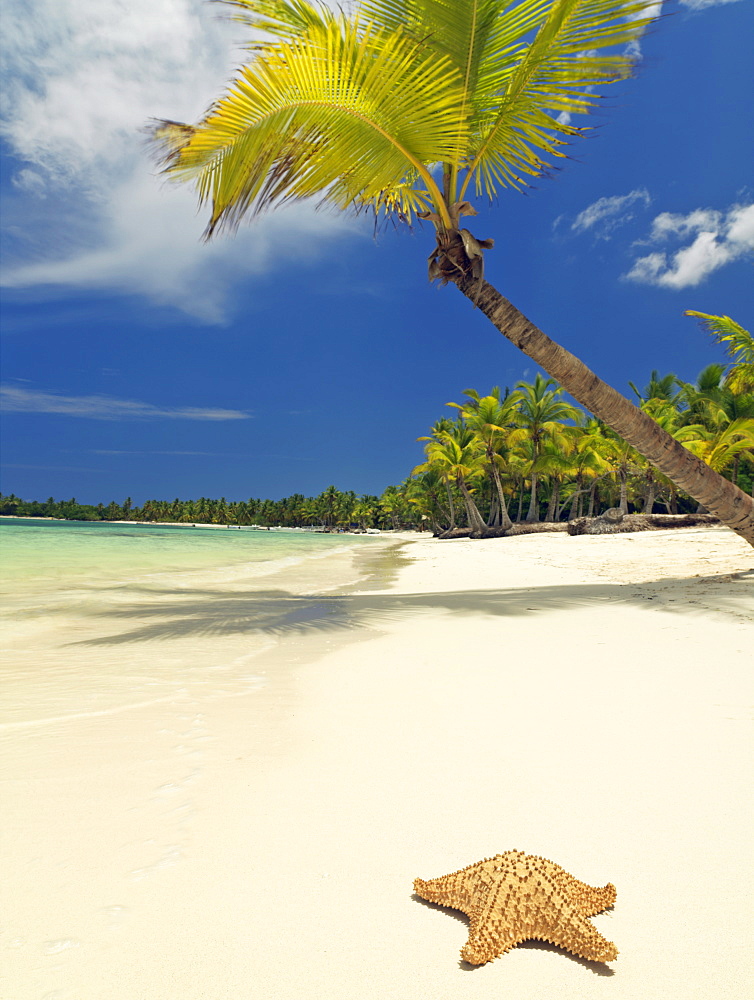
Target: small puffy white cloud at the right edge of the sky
x=717, y=238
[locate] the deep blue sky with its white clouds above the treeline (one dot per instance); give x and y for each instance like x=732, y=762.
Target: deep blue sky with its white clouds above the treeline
x=138, y=361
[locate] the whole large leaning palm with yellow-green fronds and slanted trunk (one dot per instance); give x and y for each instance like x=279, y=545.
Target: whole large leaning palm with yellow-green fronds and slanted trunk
x=411, y=107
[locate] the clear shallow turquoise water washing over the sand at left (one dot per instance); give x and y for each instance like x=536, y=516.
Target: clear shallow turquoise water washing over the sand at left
x=97, y=618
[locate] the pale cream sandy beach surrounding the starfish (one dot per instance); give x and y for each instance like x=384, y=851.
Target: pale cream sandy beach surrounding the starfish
x=255, y=833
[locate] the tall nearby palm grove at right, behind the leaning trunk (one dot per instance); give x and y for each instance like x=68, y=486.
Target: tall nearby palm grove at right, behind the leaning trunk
x=530, y=455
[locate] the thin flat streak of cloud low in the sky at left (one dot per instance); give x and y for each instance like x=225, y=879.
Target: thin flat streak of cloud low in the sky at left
x=15, y=399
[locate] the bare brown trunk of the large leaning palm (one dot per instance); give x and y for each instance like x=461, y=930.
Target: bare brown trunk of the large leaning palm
x=718, y=495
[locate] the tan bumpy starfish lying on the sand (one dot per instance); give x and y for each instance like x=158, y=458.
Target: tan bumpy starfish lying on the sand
x=514, y=897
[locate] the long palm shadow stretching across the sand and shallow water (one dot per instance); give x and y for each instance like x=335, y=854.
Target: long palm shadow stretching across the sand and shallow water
x=164, y=615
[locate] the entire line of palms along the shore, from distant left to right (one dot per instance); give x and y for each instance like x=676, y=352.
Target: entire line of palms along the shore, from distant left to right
x=520, y=455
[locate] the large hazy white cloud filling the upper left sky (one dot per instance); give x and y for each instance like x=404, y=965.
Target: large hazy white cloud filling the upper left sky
x=86, y=209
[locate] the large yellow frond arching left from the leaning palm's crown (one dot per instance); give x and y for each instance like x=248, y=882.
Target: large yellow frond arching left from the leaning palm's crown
x=350, y=113
